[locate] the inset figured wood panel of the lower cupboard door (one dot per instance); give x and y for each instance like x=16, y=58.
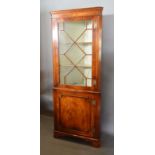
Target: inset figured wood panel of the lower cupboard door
x=75, y=113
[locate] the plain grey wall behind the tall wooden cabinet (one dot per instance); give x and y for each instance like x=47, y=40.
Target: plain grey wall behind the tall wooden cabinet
x=107, y=120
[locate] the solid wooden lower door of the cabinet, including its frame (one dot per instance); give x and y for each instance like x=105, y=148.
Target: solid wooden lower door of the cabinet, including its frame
x=76, y=113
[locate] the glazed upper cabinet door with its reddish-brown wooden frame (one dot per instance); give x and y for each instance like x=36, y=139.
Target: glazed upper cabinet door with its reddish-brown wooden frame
x=75, y=52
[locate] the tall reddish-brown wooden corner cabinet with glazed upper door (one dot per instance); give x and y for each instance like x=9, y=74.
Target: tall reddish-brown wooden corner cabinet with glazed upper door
x=76, y=43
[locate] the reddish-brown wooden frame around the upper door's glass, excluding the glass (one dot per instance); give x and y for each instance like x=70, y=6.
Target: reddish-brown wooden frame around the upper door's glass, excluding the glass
x=96, y=52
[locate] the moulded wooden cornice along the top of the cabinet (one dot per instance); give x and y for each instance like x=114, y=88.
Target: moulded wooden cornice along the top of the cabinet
x=81, y=11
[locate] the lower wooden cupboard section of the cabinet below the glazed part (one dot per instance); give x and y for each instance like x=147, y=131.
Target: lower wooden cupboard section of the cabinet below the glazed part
x=77, y=114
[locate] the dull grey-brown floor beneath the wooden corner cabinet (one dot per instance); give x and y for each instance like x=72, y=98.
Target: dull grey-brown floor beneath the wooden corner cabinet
x=54, y=146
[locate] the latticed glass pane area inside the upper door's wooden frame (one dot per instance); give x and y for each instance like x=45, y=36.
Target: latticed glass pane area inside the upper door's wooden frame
x=75, y=53
